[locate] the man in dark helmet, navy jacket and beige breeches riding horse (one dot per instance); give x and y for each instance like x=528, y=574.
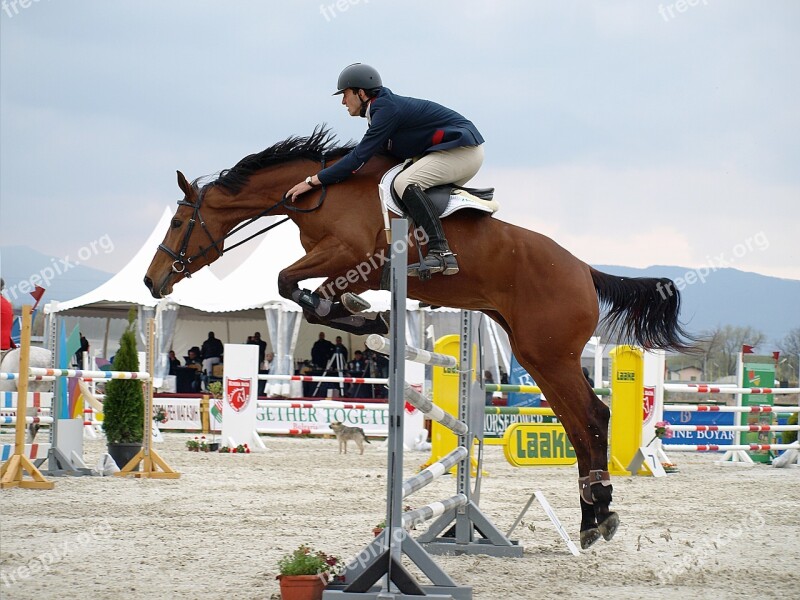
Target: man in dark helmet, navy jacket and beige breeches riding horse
x=445, y=148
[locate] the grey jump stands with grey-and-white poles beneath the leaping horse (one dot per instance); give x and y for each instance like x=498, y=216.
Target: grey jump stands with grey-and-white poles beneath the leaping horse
x=381, y=559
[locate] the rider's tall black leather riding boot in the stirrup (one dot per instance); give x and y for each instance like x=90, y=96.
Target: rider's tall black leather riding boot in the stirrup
x=439, y=259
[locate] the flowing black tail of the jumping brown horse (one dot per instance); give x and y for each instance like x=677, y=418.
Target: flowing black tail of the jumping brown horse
x=643, y=310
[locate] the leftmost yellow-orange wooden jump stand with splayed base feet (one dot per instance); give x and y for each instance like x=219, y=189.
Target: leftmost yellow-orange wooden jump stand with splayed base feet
x=12, y=471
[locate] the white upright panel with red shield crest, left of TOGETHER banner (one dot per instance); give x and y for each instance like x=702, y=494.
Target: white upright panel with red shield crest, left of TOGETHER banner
x=239, y=394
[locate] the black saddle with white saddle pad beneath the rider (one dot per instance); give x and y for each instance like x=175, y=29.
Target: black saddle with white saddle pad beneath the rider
x=447, y=198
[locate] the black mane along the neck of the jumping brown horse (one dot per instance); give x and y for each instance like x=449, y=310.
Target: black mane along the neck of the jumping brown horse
x=320, y=143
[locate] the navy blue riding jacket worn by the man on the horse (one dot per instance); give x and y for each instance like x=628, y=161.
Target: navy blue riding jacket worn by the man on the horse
x=405, y=127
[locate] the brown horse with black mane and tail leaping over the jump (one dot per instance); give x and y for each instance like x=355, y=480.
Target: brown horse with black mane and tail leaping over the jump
x=547, y=300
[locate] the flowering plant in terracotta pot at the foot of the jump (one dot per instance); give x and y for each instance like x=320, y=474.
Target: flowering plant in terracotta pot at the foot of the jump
x=305, y=572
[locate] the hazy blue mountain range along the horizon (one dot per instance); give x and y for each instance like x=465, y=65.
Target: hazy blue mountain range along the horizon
x=722, y=297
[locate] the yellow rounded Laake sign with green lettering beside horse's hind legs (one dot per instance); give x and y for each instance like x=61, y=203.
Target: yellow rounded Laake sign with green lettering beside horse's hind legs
x=537, y=445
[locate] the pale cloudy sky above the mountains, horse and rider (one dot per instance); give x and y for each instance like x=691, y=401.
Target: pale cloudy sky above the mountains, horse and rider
x=633, y=133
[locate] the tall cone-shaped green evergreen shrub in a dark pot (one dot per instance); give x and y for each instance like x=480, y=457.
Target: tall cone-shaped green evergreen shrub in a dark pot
x=123, y=408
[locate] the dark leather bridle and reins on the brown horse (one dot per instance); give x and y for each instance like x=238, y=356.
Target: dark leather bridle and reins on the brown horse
x=181, y=264
